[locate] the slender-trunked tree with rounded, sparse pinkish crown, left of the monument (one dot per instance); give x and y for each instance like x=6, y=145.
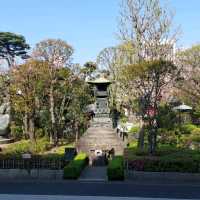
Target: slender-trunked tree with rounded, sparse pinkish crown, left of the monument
x=58, y=54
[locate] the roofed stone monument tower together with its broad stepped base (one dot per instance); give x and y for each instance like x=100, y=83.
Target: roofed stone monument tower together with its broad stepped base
x=100, y=137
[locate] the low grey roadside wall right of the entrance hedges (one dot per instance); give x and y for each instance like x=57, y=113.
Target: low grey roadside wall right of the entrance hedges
x=162, y=176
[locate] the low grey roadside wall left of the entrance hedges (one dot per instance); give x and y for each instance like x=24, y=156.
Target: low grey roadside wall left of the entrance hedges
x=31, y=174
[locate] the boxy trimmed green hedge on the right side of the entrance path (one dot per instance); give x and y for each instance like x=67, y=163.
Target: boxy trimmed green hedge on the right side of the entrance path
x=115, y=169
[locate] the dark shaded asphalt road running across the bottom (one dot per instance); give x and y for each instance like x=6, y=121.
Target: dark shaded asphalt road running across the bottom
x=120, y=189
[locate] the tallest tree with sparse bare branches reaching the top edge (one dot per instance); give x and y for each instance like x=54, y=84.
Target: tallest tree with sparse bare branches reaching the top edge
x=148, y=26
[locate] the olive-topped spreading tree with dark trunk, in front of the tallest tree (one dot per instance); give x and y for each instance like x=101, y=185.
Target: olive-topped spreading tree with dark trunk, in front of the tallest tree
x=150, y=78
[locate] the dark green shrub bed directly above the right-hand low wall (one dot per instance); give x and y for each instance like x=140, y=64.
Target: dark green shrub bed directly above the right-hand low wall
x=167, y=159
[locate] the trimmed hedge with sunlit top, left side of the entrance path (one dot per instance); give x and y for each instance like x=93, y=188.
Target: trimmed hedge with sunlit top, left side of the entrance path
x=74, y=168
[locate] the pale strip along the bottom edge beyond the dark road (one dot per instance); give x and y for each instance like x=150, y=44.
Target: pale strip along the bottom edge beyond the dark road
x=59, y=197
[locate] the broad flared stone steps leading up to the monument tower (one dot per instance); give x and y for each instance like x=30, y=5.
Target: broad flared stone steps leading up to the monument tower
x=100, y=136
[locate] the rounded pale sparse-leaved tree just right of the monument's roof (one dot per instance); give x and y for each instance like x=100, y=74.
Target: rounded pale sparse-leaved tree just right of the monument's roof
x=112, y=59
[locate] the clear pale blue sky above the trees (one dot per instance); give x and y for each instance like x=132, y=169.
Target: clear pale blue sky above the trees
x=87, y=25
